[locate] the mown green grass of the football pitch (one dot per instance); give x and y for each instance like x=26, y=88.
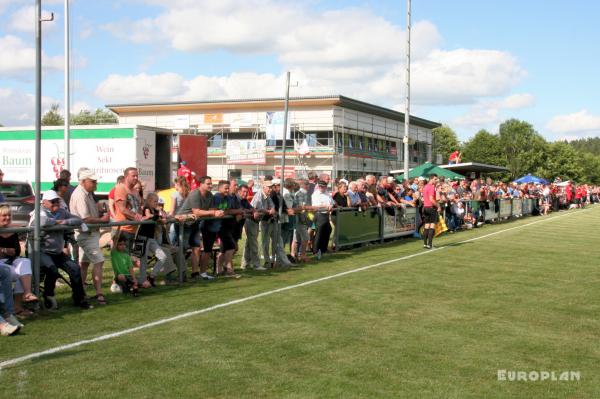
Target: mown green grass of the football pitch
x=435, y=325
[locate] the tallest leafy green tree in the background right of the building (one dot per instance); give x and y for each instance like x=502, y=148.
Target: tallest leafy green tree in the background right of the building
x=523, y=148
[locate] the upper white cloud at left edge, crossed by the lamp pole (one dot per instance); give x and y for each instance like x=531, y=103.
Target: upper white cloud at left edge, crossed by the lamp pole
x=21, y=61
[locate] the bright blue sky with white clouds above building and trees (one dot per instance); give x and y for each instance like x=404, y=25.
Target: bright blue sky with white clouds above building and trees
x=474, y=64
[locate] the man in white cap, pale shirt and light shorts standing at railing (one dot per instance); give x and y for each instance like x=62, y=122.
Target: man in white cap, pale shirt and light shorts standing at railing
x=82, y=204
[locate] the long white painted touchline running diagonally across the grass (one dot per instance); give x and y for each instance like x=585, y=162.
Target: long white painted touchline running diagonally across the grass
x=61, y=348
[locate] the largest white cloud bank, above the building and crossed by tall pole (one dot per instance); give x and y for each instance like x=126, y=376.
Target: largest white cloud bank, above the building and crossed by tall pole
x=349, y=51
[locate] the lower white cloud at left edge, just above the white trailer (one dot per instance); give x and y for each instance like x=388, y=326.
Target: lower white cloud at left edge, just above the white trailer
x=18, y=108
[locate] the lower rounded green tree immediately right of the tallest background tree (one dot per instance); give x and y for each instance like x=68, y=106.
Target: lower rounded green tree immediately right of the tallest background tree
x=561, y=161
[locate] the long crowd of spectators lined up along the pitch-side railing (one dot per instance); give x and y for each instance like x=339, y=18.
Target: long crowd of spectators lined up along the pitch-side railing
x=294, y=219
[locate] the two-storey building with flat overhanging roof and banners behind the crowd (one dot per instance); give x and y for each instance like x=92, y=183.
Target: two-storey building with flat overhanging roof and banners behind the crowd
x=334, y=134
